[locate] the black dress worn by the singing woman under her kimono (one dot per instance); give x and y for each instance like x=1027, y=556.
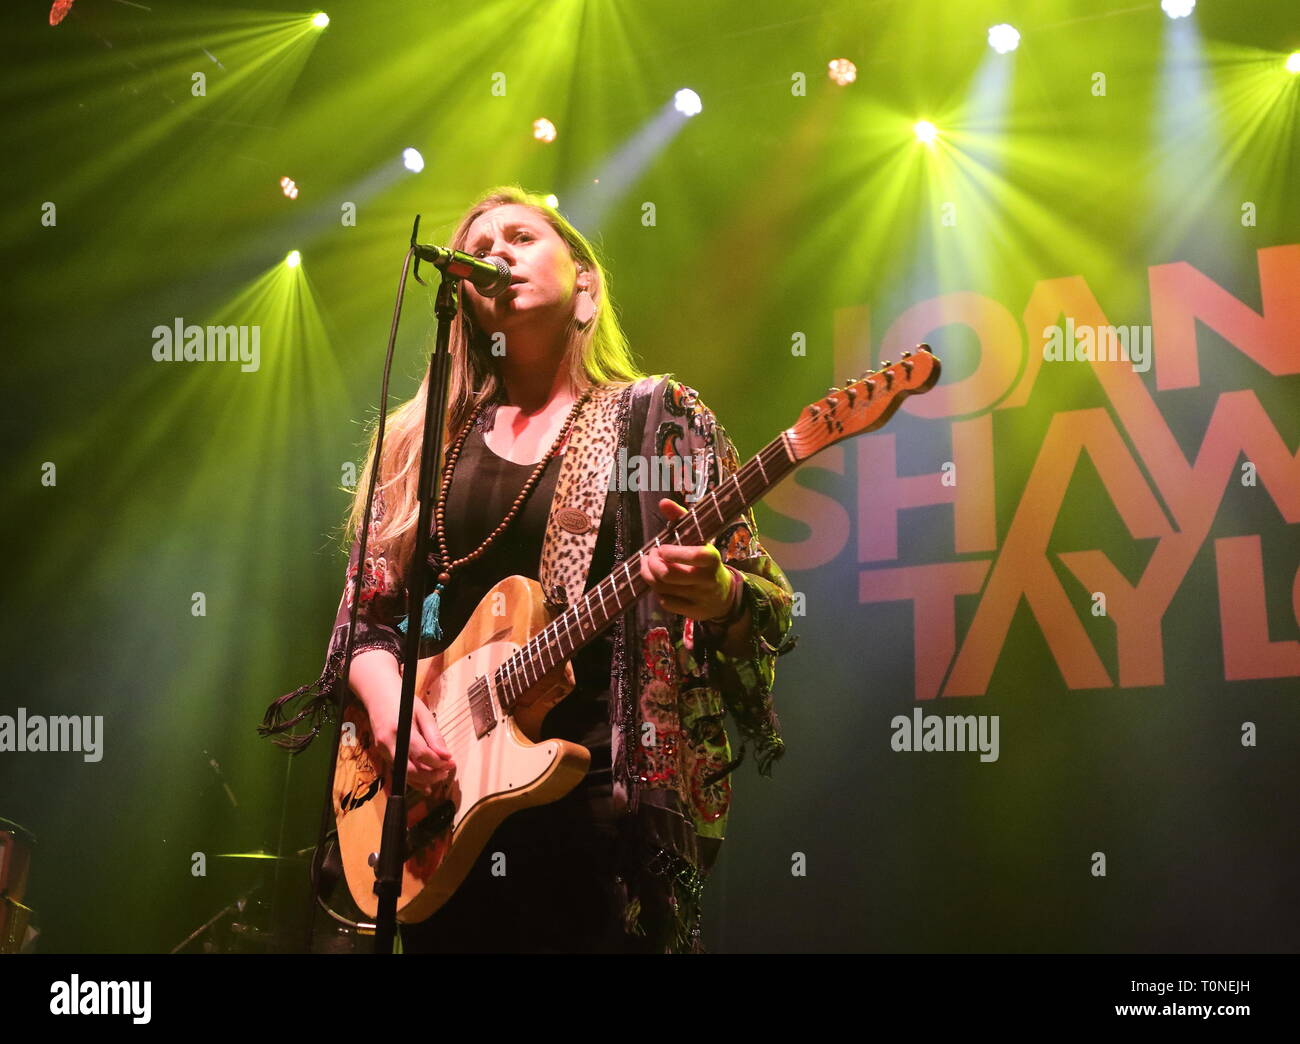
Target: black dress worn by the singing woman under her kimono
x=562, y=891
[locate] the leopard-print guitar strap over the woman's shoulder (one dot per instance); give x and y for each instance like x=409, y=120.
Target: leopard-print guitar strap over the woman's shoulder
x=579, y=501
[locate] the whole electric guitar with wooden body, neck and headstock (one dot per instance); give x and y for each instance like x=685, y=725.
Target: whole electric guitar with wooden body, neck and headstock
x=491, y=690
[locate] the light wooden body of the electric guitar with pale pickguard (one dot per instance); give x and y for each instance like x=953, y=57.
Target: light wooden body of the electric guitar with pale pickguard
x=499, y=773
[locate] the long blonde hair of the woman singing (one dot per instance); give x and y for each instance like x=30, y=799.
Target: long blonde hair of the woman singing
x=597, y=354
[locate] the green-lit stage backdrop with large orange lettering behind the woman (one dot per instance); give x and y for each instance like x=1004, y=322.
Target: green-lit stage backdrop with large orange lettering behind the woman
x=174, y=527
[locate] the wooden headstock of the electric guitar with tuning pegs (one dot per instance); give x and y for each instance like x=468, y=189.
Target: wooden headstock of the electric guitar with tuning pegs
x=864, y=405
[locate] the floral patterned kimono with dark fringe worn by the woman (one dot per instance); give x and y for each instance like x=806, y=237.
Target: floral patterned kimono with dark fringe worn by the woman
x=673, y=778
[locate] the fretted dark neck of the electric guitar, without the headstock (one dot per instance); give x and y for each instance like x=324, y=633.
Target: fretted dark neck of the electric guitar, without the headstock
x=604, y=604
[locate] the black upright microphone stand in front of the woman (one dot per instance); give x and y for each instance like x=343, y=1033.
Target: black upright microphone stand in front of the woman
x=388, y=873
